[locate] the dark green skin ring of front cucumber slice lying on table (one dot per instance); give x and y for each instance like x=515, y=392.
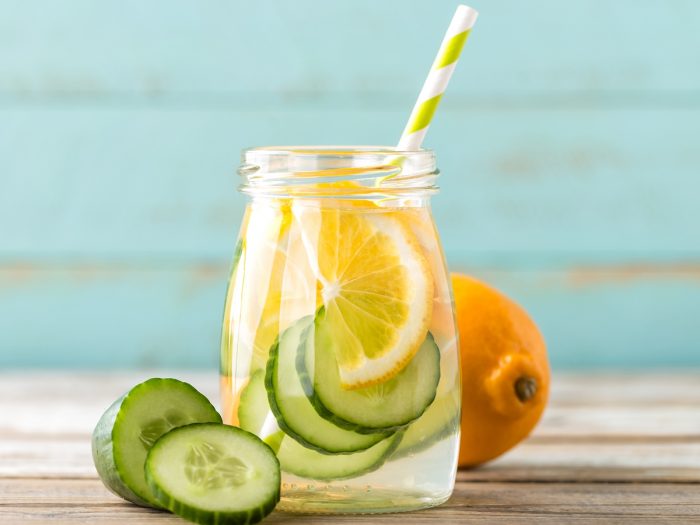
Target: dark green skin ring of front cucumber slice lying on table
x=202, y=516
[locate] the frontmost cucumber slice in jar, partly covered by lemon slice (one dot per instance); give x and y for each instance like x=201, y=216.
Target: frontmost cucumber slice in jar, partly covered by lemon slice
x=385, y=406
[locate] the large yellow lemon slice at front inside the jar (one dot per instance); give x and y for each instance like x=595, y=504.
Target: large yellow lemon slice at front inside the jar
x=375, y=287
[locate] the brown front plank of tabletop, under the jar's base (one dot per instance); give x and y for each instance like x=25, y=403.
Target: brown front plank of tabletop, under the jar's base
x=76, y=501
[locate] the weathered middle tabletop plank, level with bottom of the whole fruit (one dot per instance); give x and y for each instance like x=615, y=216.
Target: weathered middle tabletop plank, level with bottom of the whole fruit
x=630, y=460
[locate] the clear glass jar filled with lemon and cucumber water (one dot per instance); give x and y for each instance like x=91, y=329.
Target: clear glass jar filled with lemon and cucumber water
x=339, y=346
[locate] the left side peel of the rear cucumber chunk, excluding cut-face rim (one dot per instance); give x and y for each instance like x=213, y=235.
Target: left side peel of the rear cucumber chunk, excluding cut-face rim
x=103, y=457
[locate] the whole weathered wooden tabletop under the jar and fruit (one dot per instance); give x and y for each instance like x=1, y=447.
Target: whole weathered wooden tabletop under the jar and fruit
x=611, y=449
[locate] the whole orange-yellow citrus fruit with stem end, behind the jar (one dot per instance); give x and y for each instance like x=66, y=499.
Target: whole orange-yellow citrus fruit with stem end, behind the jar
x=505, y=373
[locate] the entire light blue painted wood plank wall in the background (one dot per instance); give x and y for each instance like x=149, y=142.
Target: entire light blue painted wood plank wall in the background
x=569, y=142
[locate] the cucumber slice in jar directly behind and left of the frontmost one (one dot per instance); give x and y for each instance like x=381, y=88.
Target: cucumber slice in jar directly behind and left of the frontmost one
x=290, y=404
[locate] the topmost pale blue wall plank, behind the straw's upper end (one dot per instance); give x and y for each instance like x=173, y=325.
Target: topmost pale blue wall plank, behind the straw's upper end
x=203, y=52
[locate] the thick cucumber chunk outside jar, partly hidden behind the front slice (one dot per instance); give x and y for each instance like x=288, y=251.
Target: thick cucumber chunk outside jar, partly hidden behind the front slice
x=128, y=429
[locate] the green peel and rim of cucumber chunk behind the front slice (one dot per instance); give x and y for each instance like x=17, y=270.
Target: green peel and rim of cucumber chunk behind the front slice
x=107, y=460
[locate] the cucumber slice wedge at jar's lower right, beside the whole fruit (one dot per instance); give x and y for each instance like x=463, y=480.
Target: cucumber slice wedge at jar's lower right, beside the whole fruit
x=439, y=421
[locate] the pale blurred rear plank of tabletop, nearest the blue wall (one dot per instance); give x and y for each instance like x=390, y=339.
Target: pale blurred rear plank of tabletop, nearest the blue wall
x=607, y=413
